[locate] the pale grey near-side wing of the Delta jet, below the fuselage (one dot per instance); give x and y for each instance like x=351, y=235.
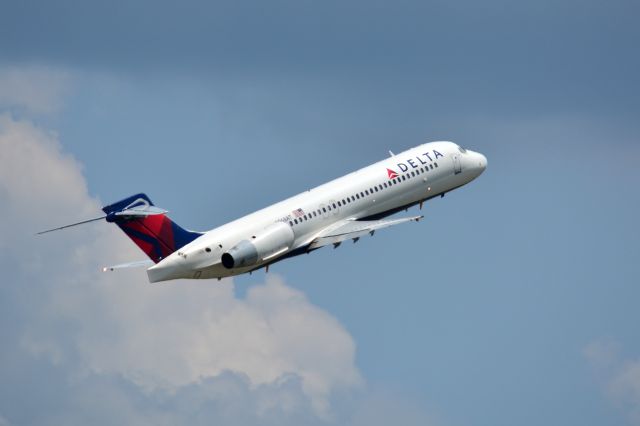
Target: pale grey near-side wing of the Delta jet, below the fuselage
x=351, y=229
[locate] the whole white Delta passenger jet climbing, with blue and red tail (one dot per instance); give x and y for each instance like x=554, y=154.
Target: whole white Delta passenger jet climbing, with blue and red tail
x=347, y=208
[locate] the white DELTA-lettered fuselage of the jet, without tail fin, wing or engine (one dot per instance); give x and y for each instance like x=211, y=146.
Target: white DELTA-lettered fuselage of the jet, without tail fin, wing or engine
x=375, y=191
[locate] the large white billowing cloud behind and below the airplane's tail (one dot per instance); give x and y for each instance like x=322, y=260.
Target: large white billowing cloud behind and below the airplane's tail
x=158, y=338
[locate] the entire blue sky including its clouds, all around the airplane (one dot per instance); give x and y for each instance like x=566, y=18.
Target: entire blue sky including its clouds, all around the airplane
x=513, y=302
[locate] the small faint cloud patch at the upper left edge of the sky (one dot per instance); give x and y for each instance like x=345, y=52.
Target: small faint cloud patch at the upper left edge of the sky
x=34, y=89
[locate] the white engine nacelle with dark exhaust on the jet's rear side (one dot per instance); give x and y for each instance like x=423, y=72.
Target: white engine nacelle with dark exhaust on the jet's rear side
x=271, y=241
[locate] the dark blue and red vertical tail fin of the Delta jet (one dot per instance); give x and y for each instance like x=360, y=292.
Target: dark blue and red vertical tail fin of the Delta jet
x=148, y=226
